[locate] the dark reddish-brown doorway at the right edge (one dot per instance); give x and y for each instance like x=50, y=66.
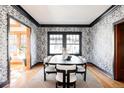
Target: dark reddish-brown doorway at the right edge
x=119, y=51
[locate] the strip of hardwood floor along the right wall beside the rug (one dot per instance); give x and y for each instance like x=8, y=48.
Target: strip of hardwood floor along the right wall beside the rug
x=104, y=79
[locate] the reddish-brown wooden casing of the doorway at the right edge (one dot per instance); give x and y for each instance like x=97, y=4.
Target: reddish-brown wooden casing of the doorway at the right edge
x=116, y=66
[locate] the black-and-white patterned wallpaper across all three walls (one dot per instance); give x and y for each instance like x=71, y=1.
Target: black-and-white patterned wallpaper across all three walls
x=97, y=41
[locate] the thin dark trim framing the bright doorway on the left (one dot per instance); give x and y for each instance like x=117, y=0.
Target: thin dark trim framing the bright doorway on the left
x=8, y=30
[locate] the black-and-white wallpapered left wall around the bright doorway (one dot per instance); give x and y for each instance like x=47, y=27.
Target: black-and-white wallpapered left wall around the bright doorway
x=4, y=10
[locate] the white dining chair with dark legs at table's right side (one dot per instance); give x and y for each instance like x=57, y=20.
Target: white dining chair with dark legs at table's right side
x=82, y=69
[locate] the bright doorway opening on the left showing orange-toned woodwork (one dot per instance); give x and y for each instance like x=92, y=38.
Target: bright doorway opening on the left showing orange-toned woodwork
x=18, y=49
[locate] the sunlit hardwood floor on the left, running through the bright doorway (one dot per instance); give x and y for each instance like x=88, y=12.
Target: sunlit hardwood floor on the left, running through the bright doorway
x=25, y=75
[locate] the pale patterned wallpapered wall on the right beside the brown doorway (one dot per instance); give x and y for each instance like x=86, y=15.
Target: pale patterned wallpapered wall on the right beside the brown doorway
x=102, y=38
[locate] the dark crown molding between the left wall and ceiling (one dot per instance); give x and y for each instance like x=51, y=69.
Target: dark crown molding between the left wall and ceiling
x=27, y=15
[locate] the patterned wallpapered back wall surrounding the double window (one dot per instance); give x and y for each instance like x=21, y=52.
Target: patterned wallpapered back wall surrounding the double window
x=42, y=40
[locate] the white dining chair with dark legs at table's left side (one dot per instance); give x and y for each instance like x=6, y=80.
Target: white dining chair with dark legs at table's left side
x=48, y=69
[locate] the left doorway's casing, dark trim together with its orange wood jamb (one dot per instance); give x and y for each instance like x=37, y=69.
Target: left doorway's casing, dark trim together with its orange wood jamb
x=29, y=43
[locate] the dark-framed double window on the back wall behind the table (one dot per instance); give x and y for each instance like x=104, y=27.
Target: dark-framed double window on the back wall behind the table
x=71, y=41
